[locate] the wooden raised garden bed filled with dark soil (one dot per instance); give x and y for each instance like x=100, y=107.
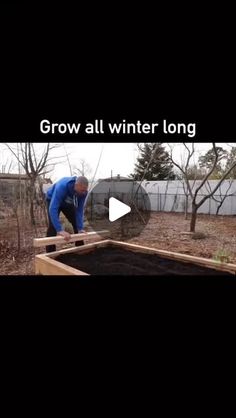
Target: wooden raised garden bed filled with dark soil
x=109, y=257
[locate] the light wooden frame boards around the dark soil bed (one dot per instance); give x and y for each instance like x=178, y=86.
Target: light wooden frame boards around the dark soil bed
x=55, y=267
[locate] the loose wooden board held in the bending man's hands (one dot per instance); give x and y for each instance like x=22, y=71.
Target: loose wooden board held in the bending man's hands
x=42, y=242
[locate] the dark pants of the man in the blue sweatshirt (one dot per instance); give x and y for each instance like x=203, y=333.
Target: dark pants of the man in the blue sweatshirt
x=69, y=212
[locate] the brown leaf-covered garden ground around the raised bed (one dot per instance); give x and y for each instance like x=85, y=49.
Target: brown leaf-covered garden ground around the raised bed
x=165, y=231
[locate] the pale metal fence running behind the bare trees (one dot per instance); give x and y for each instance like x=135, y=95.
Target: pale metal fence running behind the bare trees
x=169, y=196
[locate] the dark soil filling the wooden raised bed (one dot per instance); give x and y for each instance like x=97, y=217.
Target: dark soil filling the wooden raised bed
x=114, y=261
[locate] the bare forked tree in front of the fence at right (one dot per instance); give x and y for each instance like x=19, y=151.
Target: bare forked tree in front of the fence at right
x=194, y=192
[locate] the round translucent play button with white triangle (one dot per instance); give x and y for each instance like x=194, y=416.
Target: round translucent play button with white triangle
x=119, y=205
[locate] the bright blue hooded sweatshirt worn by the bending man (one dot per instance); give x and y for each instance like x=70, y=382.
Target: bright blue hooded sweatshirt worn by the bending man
x=63, y=192
